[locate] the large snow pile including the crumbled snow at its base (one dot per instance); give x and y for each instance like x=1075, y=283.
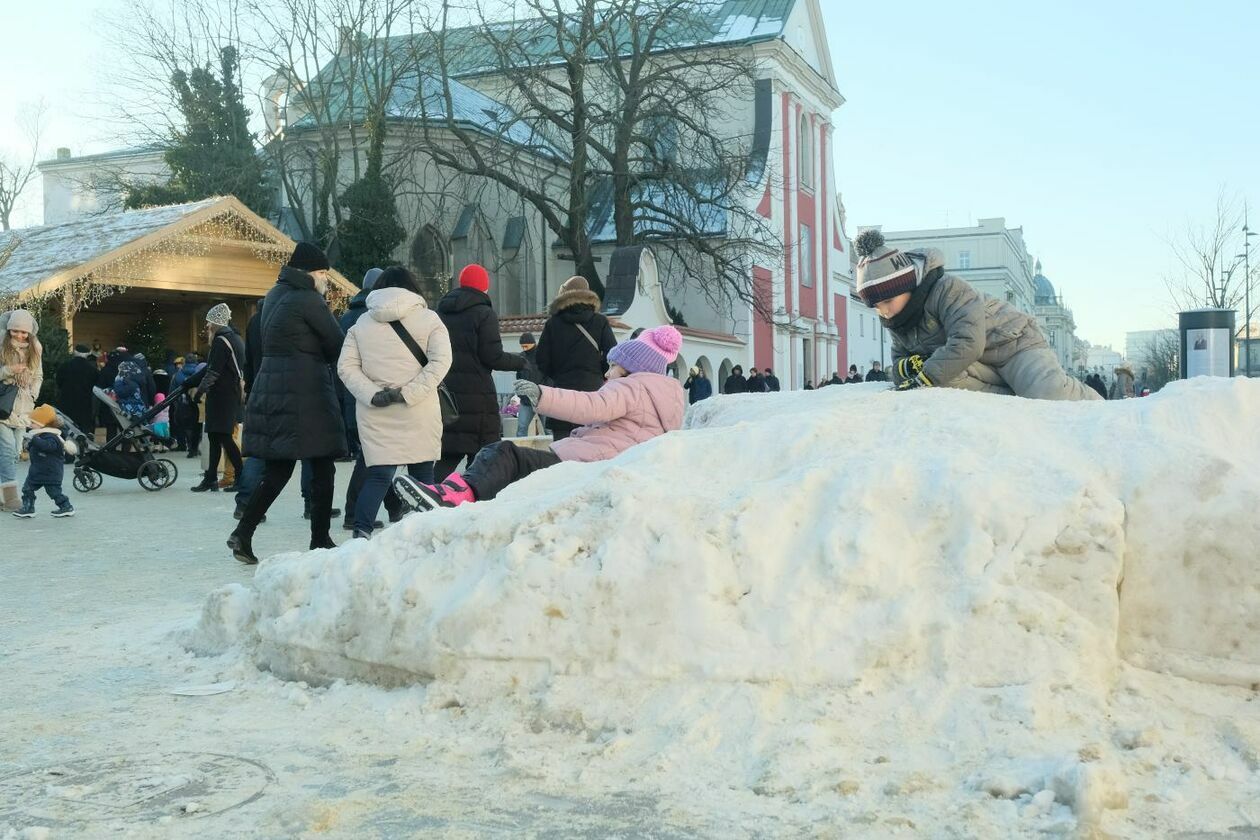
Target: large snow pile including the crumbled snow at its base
x=903, y=610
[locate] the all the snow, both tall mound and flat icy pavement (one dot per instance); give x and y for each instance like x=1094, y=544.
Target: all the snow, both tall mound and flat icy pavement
x=995, y=618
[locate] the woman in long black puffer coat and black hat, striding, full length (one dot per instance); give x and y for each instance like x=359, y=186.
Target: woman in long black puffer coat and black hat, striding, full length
x=294, y=412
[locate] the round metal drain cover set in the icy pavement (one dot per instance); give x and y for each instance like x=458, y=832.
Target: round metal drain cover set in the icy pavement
x=133, y=788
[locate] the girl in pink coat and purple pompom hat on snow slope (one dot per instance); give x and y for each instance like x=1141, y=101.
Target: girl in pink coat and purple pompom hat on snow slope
x=638, y=402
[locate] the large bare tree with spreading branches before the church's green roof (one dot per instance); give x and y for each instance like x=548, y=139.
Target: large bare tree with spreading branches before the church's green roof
x=617, y=104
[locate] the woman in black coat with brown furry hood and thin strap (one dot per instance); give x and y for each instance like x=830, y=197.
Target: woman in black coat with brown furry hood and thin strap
x=574, y=349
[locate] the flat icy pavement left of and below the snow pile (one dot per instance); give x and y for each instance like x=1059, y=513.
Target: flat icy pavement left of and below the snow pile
x=95, y=741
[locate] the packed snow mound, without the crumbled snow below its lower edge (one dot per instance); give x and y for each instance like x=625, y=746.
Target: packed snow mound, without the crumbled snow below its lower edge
x=842, y=536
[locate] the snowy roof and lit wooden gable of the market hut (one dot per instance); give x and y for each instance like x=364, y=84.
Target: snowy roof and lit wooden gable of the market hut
x=103, y=274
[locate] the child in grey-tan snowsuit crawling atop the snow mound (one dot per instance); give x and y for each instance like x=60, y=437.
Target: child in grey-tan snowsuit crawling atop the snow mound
x=946, y=333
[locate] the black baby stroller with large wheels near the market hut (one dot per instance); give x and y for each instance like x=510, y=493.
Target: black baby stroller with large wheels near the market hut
x=127, y=455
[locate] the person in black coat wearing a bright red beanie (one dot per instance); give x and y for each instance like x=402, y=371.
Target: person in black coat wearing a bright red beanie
x=477, y=349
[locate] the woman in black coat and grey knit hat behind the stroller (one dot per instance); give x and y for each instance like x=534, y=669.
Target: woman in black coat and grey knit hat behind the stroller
x=220, y=383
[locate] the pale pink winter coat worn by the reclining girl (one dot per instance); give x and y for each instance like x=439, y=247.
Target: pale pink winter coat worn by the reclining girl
x=624, y=412
